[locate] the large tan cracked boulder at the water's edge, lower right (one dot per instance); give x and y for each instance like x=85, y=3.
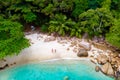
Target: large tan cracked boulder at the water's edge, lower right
x=107, y=69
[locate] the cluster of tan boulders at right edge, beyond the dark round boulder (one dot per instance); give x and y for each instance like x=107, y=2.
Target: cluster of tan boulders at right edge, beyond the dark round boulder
x=109, y=61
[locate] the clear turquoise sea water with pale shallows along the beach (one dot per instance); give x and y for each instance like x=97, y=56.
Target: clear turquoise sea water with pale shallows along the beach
x=54, y=70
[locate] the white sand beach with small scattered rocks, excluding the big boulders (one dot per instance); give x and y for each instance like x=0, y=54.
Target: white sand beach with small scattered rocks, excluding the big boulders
x=41, y=49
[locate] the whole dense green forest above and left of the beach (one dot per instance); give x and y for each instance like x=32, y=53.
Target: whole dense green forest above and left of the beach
x=71, y=17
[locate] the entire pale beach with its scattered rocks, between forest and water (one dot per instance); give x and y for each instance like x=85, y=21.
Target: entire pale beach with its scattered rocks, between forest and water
x=48, y=47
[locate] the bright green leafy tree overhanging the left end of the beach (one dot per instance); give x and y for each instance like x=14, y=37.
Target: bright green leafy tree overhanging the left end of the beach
x=12, y=39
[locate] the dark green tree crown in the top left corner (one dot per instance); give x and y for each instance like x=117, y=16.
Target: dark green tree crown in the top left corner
x=19, y=10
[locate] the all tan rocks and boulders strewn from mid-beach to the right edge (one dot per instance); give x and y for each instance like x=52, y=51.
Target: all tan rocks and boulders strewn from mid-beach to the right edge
x=109, y=61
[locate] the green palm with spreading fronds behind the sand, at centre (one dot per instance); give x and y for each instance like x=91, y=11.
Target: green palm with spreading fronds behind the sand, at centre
x=61, y=25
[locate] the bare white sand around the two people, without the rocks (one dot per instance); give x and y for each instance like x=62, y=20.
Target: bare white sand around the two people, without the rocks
x=40, y=50
